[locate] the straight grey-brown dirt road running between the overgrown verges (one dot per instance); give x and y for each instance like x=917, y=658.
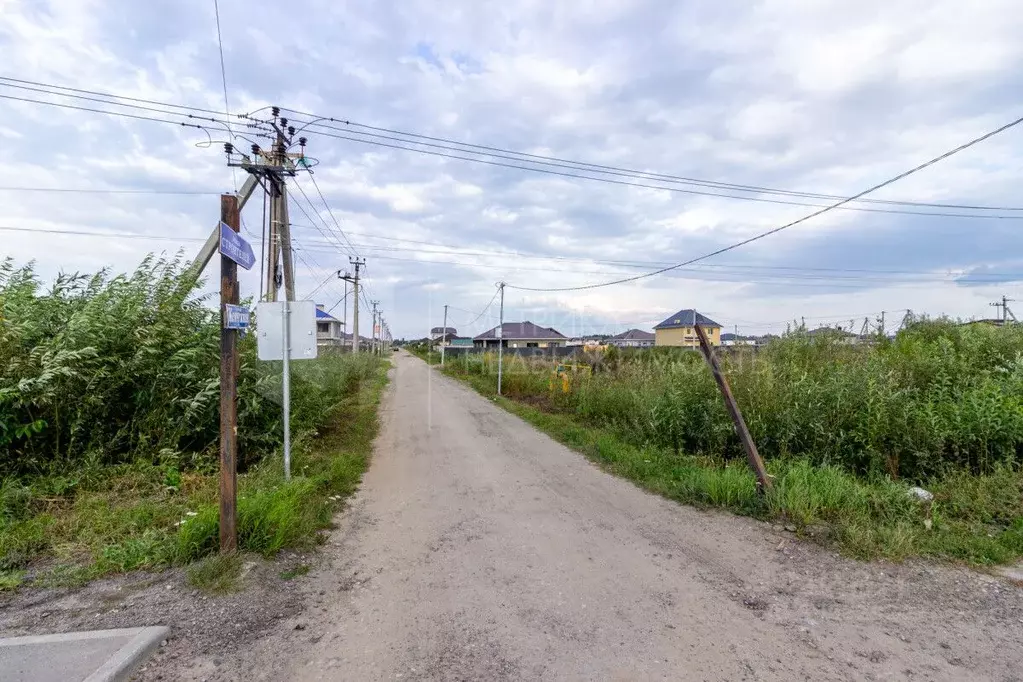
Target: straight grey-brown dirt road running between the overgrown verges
x=479, y=550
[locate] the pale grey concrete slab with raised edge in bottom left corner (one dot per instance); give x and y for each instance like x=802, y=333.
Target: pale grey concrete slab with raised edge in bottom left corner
x=99, y=656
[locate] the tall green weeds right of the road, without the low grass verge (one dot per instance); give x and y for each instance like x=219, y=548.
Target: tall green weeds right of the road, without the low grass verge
x=941, y=397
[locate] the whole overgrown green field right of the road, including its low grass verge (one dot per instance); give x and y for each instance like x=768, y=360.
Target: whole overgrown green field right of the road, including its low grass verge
x=846, y=431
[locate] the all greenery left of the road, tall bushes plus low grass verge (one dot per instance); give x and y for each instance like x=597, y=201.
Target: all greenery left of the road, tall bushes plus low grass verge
x=109, y=394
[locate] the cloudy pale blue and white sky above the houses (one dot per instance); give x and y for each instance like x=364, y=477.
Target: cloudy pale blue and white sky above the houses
x=823, y=99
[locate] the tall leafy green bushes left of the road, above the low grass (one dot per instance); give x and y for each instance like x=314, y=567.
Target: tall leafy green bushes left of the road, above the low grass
x=99, y=371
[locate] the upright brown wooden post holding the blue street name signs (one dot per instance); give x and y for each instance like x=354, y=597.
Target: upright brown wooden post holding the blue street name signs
x=231, y=216
